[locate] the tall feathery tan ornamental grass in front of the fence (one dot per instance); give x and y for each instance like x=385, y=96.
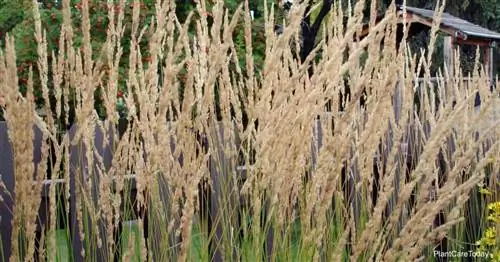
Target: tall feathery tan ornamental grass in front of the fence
x=229, y=164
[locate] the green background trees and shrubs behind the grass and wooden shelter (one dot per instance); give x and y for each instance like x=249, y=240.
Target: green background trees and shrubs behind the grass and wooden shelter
x=16, y=19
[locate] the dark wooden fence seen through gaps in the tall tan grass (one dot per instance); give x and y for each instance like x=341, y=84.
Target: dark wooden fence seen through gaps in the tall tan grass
x=218, y=175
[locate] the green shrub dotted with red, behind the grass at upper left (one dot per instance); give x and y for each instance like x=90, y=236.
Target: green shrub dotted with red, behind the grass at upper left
x=23, y=30
